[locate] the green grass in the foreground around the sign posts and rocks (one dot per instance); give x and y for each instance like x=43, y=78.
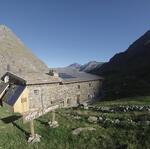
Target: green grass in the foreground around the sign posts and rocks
x=14, y=135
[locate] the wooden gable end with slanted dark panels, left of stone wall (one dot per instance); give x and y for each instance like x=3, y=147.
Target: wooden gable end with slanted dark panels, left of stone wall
x=14, y=93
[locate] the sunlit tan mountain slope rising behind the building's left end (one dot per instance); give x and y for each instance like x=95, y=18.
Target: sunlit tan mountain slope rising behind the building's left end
x=15, y=56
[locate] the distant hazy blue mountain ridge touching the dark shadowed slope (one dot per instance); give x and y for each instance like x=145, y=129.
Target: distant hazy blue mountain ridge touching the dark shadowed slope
x=91, y=66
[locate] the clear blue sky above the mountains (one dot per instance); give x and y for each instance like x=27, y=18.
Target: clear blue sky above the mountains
x=61, y=32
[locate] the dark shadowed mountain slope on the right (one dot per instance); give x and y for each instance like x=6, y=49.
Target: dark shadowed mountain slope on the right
x=128, y=73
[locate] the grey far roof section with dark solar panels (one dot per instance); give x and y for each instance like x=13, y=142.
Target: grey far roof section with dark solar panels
x=69, y=75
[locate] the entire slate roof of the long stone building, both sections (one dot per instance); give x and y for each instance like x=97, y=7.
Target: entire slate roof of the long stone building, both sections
x=66, y=75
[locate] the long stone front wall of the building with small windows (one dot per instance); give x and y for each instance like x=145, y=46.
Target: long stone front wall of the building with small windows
x=43, y=96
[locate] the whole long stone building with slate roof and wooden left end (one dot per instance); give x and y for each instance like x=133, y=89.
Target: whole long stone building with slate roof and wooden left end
x=41, y=92
